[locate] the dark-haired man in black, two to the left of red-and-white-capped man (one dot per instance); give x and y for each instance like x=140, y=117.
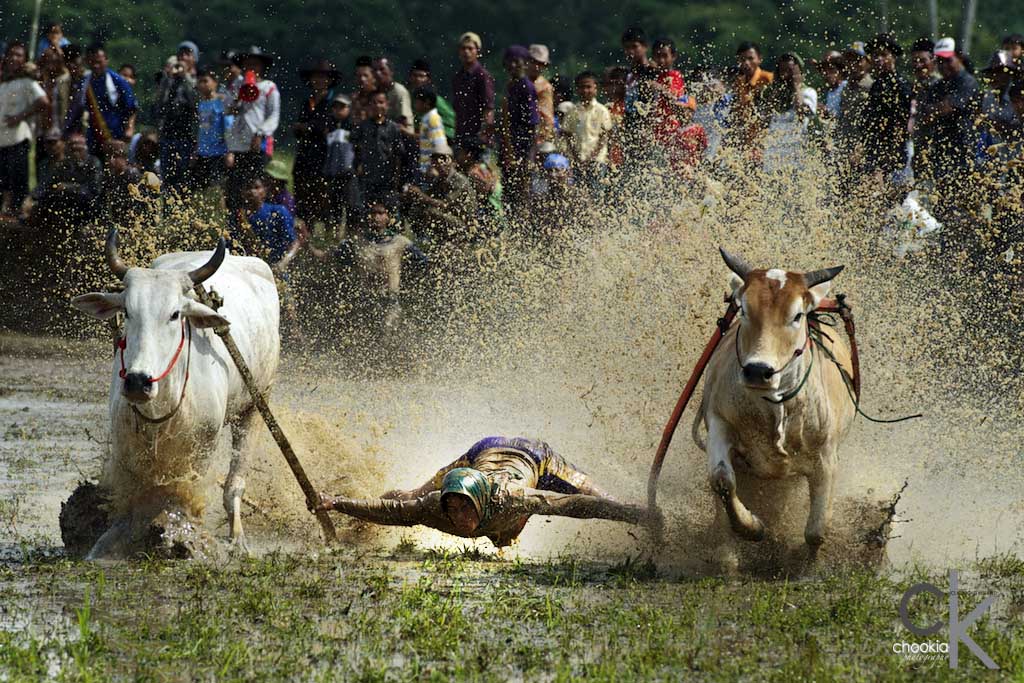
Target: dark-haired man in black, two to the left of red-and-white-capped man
x=888, y=110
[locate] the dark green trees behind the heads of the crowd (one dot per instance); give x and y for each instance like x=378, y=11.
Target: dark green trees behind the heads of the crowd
x=580, y=33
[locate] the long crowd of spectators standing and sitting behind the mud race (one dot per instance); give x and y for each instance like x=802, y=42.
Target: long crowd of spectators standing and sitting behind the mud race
x=393, y=155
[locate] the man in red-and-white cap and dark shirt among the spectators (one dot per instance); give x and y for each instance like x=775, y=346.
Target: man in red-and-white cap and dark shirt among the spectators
x=950, y=108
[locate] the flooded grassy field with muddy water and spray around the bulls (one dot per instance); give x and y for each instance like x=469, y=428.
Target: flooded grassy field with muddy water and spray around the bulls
x=588, y=352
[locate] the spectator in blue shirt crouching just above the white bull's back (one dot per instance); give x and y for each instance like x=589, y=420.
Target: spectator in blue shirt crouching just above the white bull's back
x=266, y=230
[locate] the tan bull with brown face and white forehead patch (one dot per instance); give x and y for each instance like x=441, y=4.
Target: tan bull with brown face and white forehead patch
x=775, y=405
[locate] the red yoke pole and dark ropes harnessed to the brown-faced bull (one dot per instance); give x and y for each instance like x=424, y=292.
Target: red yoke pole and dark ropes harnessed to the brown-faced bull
x=837, y=306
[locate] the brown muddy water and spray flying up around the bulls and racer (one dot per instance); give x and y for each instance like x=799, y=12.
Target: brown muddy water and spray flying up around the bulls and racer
x=589, y=351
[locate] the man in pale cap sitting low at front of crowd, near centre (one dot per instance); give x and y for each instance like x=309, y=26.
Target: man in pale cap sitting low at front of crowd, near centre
x=446, y=211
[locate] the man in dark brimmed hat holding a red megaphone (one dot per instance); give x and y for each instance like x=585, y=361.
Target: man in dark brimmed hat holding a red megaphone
x=258, y=114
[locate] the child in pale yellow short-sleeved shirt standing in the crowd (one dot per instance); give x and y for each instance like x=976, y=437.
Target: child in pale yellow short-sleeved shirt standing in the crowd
x=588, y=126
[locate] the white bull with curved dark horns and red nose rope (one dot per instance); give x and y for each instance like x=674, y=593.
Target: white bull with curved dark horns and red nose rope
x=175, y=387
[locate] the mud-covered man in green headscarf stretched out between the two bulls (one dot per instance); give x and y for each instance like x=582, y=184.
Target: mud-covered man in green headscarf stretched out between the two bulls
x=492, y=491
